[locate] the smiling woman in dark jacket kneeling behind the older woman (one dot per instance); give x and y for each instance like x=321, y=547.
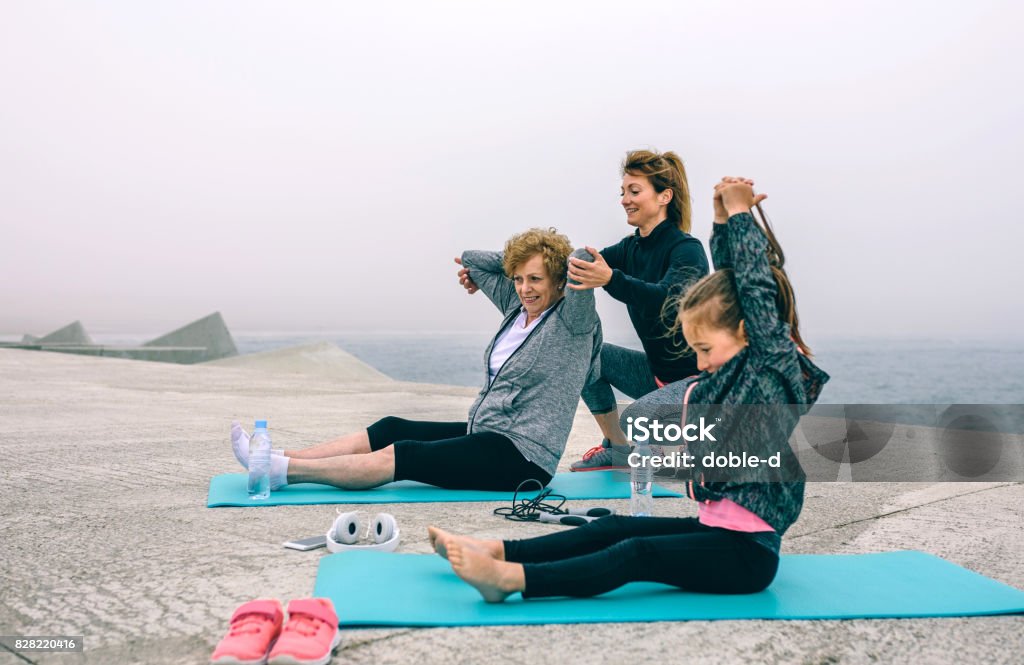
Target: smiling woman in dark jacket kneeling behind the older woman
x=647, y=271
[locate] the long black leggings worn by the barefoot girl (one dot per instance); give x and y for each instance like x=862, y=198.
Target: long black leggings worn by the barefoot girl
x=609, y=553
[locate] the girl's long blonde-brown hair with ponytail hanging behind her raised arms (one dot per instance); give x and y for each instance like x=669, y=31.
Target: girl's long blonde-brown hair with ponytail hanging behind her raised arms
x=714, y=303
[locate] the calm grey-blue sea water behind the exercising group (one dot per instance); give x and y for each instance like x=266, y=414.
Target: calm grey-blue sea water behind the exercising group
x=864, y=370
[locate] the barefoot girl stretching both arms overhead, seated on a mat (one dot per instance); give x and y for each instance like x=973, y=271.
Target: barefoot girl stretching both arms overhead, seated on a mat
x=742, y=323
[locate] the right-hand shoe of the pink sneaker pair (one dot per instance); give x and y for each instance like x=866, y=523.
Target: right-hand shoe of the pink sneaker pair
x=311, y=636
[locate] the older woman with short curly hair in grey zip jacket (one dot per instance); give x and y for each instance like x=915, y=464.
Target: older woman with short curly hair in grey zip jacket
x=545, y=352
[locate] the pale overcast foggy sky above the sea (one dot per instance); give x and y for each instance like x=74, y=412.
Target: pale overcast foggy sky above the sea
x=316, y=167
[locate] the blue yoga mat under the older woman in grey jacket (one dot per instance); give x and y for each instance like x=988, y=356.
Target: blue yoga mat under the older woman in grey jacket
x=230, y=490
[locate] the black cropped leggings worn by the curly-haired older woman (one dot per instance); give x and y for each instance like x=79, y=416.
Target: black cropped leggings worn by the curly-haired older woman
x=444, y=455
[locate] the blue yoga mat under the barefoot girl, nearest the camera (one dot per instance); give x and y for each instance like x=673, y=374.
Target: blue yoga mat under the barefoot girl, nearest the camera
x=389, y=590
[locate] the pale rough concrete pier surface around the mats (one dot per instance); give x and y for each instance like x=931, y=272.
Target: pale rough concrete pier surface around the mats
x=105, y=531
